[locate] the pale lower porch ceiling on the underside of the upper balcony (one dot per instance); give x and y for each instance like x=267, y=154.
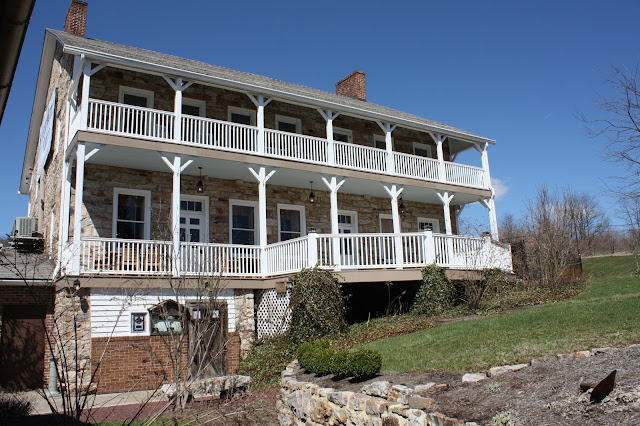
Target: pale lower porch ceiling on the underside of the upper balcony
x=144, y=159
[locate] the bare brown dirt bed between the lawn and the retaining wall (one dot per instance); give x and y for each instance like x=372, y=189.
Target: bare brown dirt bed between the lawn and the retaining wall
x=545, y=393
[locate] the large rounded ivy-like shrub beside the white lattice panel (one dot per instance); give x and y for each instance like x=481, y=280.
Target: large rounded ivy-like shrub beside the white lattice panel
x=317, y=305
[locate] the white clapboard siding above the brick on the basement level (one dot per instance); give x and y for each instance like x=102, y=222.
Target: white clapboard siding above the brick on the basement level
x=111, y=309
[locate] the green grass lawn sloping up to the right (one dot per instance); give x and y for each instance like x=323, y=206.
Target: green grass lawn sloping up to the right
x=606, y=313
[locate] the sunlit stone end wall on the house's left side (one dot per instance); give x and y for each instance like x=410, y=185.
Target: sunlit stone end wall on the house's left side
x=45, y=187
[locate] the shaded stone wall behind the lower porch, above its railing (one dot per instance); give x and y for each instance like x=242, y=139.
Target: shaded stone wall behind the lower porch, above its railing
x=100, y=182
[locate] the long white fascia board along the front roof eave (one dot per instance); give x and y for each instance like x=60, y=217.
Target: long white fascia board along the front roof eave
x=305, y=100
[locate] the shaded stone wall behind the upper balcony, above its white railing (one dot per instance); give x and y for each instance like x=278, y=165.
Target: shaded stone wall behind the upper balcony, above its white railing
x=106, y=84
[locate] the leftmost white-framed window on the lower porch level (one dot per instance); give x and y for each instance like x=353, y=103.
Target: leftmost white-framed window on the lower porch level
x=131, y=213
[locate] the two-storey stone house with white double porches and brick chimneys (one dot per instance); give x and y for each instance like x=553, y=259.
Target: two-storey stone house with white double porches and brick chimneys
x=154, y=177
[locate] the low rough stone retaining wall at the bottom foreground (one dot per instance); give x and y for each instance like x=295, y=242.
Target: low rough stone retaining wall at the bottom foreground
x=378, y=403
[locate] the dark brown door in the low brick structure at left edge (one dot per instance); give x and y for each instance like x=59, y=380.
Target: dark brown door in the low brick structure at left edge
x=22, y=348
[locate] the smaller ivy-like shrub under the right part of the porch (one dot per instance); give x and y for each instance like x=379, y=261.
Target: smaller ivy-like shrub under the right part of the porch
x=435, y=294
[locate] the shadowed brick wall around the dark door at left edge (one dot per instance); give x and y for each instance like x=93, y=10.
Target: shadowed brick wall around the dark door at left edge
x=32, y=295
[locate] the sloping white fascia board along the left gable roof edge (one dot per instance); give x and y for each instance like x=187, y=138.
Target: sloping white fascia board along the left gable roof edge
x=39, y=100
